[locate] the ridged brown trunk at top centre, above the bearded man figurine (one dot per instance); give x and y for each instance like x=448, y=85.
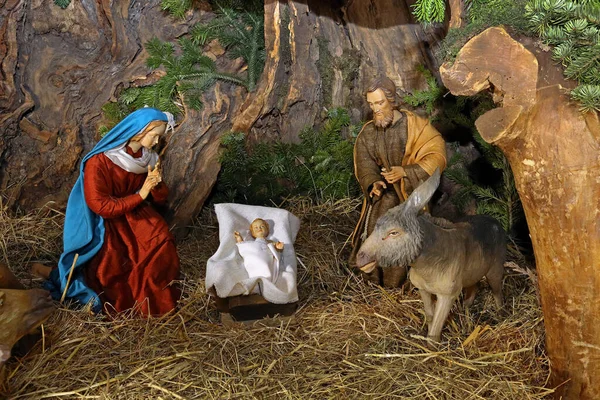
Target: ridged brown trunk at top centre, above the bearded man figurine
x=323, y=54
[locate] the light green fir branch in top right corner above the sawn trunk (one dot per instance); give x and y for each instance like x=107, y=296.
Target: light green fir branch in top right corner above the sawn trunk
x=573, y=27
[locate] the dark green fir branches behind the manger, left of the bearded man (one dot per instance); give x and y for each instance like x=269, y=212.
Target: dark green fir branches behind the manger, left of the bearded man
x=321, y=165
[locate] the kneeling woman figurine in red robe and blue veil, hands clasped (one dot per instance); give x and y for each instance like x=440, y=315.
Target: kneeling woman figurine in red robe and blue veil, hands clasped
x=126, y=256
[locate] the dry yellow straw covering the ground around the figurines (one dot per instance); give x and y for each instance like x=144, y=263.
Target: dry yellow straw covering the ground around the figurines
x=349, y=338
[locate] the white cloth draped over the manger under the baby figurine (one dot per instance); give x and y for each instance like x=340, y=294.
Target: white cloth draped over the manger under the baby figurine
x=231, y=276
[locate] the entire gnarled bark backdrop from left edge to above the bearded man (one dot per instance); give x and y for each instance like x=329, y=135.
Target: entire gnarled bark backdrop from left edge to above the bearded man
x=60, y=67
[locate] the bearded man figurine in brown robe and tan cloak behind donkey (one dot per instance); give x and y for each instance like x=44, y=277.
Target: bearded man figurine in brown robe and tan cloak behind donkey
x=393, y=154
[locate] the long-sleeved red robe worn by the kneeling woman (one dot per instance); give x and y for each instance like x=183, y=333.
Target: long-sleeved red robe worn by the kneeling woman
x=138, y=260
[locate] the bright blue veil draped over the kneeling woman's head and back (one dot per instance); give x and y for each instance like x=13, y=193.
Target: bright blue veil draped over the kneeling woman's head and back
x=84, y=230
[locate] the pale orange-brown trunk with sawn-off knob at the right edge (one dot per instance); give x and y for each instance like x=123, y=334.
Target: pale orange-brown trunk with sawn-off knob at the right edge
x=554, y=154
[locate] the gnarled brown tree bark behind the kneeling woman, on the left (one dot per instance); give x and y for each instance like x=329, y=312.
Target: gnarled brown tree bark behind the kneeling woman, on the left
x=62, y=66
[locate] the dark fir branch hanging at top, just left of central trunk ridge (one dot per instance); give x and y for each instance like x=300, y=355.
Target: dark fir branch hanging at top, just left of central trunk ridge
x=239, y=27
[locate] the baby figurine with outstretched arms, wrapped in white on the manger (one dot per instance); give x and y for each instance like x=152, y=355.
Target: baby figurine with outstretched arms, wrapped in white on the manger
x=261, y=256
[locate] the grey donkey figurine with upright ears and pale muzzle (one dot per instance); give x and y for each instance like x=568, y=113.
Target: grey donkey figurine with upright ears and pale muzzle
x=444, y=257
